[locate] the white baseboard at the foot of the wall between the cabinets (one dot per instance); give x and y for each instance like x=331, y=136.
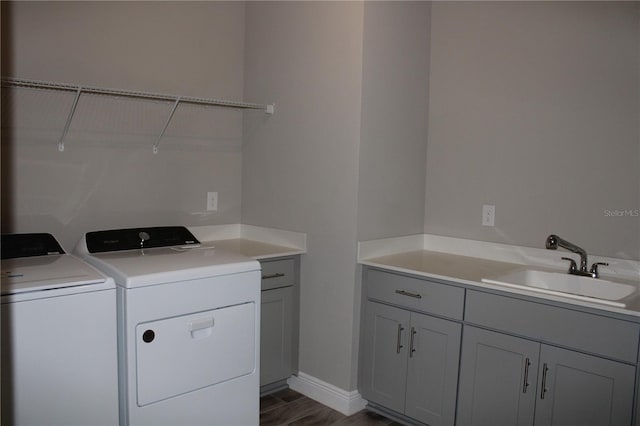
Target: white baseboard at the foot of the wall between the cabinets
x=346, y=402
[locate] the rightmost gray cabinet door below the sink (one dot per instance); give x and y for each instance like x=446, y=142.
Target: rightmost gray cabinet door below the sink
x=583, y=390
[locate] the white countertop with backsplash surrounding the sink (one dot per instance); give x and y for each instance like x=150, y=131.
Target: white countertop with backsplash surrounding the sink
x=405, y=255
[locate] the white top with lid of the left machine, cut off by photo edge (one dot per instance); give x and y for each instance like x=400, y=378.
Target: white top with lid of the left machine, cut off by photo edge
x=31, y=274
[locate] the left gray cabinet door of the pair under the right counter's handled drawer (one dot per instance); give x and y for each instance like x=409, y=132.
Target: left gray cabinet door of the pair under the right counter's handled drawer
x=384, y=361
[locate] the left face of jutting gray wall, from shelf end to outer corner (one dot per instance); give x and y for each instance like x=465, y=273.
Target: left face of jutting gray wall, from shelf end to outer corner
x=300, y=167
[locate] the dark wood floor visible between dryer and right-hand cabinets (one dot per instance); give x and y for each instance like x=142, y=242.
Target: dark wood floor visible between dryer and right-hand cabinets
x=290, y=408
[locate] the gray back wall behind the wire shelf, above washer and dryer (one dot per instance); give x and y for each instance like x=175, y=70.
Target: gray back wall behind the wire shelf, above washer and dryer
x=108, y=175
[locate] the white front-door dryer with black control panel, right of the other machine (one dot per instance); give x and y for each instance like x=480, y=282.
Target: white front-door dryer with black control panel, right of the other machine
x=188, y=326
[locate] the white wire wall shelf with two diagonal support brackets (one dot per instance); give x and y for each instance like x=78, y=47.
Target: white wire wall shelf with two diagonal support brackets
x=18, y=82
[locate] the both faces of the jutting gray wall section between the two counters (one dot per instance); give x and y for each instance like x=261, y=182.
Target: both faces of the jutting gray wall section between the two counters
x=343, y=158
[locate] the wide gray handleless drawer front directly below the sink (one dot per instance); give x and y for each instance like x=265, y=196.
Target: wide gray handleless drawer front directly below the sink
x=592, y=333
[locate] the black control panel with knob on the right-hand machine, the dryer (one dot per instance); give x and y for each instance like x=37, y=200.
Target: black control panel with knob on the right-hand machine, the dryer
x=136, y=238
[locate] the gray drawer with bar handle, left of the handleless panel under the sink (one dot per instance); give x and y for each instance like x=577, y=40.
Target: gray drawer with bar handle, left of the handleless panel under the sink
x=415, y=294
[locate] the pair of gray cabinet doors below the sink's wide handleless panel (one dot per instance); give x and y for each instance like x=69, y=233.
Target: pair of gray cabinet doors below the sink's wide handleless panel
x=507, y=380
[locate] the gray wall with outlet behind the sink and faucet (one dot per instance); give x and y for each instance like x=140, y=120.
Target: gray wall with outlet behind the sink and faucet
x=534, y=107
